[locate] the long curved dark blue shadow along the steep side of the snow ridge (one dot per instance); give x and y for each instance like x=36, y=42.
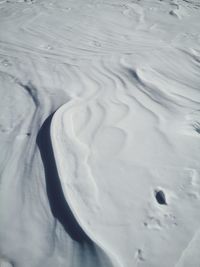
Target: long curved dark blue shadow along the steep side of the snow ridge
x=58, y=204
